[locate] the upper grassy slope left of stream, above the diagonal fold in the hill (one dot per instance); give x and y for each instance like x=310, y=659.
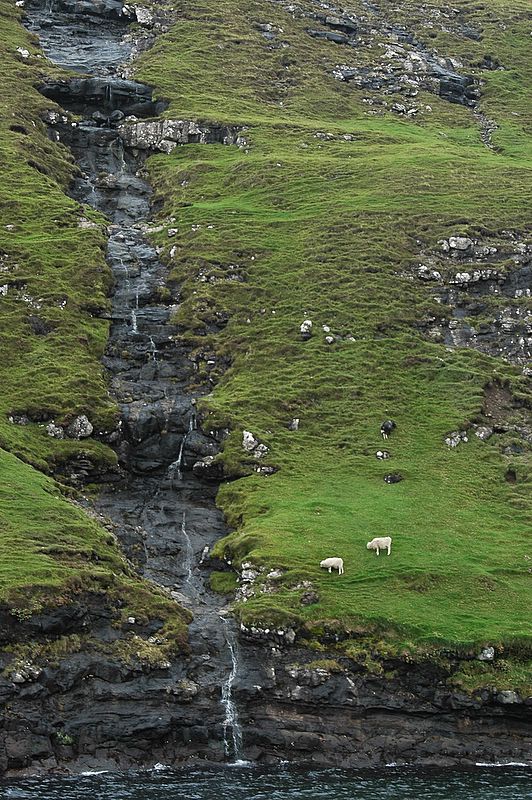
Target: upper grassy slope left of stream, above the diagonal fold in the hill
x=53, y=273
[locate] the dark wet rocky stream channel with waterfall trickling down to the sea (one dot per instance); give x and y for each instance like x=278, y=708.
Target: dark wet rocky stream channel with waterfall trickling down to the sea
x=165, y=517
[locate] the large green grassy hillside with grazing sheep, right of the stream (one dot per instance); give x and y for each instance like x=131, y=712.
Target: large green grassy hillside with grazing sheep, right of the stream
x=324, y=214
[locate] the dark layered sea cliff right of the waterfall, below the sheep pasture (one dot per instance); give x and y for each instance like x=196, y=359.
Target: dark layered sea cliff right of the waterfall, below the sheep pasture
x=339, y=715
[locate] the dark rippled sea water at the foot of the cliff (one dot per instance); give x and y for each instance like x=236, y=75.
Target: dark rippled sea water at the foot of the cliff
x=281, y=783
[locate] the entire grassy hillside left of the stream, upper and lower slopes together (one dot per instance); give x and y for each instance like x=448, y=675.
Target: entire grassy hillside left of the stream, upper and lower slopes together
x=54, y=284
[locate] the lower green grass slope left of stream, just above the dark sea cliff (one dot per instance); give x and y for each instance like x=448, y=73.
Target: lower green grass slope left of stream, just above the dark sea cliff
x=51, y=553
